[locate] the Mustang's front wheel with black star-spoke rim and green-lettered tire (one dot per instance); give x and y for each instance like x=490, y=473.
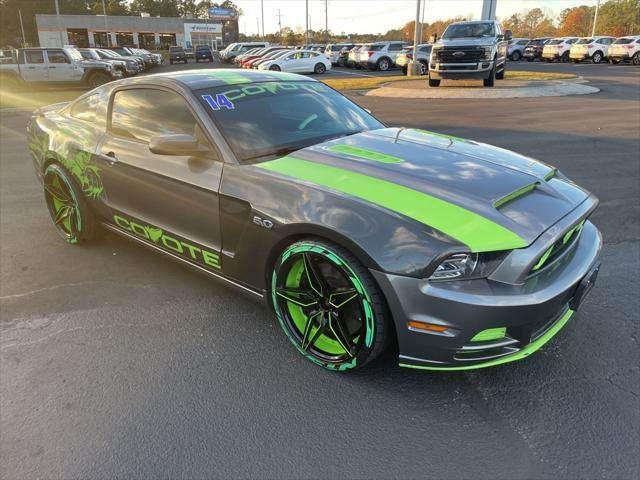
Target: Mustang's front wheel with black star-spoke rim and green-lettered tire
x=346, y=336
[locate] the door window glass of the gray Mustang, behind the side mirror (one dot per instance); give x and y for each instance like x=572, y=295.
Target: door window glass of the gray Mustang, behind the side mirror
x=143, y=113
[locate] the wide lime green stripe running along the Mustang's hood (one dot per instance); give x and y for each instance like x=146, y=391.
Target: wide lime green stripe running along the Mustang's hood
x=475, y=231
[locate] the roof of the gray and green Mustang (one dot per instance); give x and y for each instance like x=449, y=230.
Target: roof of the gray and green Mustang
x=210, y=78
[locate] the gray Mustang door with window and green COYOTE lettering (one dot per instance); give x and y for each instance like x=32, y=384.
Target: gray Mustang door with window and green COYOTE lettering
x=169, y=201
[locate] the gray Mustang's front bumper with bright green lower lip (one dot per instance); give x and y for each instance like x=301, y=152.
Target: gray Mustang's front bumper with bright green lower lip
x=532, y=312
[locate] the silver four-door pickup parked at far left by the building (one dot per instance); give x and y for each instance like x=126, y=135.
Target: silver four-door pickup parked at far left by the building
x=53, y=66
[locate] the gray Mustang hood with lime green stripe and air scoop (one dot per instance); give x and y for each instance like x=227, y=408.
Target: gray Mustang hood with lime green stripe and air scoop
x=508, y=198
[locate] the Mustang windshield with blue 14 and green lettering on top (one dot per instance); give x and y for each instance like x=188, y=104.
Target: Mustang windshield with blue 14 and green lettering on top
x=274, y=118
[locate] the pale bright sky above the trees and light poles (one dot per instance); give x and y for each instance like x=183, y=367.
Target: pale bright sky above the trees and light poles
x=377, y=16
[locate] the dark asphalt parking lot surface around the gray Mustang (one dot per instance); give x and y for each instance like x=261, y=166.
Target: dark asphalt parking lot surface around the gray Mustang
x=116, y=362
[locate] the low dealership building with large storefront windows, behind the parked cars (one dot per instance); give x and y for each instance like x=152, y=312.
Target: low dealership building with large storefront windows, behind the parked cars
x=152, y=33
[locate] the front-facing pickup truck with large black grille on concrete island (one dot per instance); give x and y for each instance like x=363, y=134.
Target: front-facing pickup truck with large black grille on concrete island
x=470, y=50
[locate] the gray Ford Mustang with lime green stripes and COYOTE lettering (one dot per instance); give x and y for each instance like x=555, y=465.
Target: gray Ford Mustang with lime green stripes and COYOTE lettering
x=356, y=235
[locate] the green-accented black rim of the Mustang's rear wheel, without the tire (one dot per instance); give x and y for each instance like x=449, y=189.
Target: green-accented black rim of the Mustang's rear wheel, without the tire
x=62, y=204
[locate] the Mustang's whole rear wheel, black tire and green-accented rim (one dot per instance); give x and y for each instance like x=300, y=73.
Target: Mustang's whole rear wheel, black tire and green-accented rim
x=81, y=224
